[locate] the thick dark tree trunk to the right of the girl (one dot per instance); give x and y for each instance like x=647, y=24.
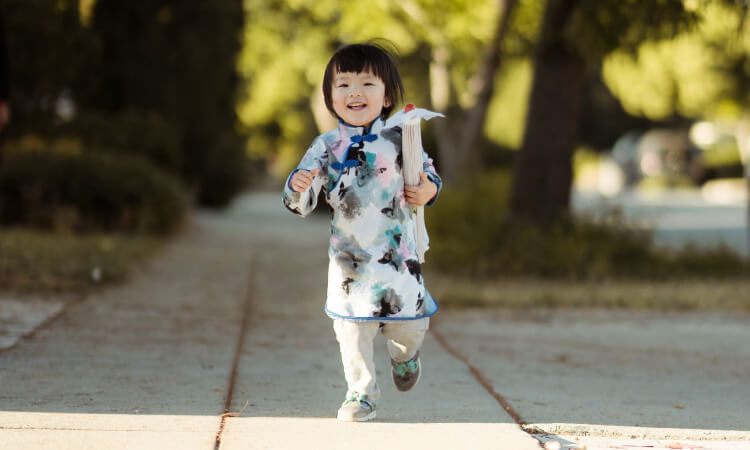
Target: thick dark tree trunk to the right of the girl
x=543, y=172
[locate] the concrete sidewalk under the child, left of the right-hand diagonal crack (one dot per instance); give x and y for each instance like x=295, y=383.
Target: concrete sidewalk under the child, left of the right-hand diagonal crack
x=232, y=308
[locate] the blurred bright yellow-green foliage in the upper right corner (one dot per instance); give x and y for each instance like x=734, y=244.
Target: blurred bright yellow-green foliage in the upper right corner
x=695, y=74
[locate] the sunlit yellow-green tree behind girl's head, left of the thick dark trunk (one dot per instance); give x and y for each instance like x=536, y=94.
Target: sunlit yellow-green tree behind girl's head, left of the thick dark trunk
x=440, y=46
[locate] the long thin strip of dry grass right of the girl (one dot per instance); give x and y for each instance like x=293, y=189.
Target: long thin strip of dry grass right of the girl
x=719, y=295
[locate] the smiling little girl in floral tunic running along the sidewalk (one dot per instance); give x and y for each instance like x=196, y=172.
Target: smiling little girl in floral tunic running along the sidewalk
x=374, y=276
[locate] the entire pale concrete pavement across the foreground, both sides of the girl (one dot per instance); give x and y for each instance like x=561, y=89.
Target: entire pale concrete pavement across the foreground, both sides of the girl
x=230, y=317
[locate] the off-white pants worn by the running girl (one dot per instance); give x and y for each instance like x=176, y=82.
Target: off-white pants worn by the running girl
x=404, y=338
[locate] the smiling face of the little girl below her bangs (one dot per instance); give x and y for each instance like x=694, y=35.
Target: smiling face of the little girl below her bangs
x=358, y=97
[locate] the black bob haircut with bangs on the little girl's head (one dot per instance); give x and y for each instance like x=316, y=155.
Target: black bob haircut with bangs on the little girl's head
x=367, y=57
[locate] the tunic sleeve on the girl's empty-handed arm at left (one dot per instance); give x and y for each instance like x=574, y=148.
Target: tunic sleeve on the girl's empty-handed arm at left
x=303, y=203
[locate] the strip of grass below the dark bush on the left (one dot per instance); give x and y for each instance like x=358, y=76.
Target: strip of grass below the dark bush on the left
x=36, y=261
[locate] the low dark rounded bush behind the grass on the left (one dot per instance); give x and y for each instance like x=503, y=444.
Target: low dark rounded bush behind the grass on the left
x=87, y=192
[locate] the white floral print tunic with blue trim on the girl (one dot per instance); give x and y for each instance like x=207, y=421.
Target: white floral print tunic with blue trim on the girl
x=373, y=271
